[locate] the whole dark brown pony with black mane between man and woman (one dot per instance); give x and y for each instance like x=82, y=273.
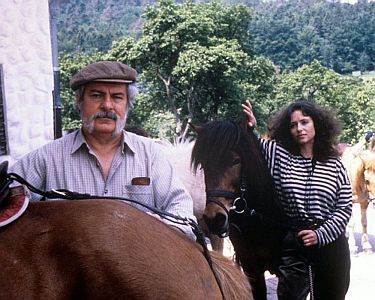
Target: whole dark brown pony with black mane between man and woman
x=241, y=199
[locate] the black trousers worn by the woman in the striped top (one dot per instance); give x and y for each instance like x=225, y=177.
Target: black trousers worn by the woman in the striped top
x=330, y=266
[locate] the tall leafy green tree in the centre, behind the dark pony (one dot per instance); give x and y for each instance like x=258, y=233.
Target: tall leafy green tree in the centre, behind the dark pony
x=195, y=61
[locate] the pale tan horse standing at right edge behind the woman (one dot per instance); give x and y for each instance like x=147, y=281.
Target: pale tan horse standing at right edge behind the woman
x=361, y=171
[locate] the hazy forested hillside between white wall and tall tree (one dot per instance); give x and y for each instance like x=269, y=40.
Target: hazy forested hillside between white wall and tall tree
x=90, y=25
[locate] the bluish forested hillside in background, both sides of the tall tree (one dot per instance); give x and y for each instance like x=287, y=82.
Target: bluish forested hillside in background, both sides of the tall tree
x=291, y=33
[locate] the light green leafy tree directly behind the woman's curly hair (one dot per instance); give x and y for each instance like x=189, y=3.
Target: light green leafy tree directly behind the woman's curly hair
x=351, y=97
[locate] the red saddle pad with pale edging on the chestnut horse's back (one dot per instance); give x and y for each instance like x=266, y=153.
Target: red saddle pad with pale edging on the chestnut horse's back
x=16, y=206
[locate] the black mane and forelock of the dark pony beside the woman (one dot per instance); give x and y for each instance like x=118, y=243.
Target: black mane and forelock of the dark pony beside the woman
x=213, y=147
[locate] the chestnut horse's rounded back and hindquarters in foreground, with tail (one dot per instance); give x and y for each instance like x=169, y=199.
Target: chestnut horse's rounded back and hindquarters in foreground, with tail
x=106, y=249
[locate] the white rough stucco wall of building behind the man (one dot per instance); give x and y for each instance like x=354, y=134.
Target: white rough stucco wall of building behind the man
x=26, y=56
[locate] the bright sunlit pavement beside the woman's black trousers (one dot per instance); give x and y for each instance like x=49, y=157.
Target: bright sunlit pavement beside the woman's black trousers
x=362, y=286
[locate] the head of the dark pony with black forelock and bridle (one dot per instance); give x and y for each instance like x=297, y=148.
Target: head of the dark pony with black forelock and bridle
x=232, y=163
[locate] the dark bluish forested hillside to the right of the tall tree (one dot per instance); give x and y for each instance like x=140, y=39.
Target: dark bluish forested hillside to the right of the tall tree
x=293, y=33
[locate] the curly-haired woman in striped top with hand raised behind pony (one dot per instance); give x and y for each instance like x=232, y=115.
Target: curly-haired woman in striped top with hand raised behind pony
x=314, y=189
